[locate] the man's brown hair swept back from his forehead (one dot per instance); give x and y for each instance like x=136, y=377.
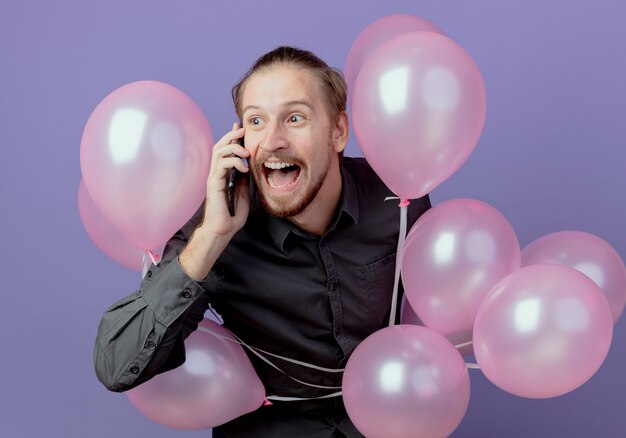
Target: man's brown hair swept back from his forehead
x=333, y=82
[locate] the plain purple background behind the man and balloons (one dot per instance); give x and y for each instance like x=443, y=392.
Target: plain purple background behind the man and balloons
x=551, y=158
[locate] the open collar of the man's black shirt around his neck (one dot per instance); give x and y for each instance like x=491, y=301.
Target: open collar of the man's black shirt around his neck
x=279, y=228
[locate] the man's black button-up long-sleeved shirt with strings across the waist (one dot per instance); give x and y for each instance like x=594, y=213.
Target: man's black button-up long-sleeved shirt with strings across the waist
x=307, y=297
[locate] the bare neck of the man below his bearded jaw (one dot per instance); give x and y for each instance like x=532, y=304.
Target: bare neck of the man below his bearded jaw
x=317, y=217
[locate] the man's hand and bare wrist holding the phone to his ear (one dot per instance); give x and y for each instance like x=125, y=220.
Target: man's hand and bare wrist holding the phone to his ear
x=218, y=227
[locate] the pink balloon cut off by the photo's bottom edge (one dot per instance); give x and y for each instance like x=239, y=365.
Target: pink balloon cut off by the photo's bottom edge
x=405, y=381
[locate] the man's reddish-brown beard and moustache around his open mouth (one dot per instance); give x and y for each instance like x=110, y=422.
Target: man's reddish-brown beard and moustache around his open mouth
x=285, y=206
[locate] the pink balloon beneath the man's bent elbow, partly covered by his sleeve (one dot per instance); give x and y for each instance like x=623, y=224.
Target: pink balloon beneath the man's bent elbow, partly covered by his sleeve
x=215, y=385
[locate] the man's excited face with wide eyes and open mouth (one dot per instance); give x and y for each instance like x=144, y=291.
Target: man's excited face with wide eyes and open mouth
x=289, y=136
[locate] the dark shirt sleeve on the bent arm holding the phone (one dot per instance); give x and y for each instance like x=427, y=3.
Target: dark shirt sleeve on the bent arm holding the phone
x=143, y=334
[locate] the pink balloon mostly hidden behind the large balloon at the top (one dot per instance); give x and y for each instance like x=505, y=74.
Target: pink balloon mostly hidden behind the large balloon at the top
x=378, y=33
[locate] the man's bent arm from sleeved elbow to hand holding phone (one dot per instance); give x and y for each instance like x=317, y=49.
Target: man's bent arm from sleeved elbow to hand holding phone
x=143, y=334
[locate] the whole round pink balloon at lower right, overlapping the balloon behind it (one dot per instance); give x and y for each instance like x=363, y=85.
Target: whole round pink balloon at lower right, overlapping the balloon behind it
x=542, y=331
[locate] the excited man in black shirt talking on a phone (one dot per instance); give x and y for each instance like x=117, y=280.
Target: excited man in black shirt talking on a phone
x=304, y=269
